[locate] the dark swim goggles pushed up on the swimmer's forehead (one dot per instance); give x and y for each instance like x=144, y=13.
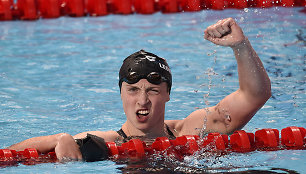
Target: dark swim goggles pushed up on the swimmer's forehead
x=153, y=77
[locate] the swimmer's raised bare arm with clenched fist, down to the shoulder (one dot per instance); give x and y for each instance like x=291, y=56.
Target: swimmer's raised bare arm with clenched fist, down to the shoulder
x=236, y=109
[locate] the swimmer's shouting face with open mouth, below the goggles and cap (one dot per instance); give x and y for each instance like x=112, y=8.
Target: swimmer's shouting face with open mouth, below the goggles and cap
x=144, y=104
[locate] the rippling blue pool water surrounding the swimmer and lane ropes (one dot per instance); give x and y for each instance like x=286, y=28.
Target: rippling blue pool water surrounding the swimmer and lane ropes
x=61, y=75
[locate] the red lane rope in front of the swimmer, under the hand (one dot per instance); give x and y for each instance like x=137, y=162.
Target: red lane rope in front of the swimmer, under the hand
x=293, y=138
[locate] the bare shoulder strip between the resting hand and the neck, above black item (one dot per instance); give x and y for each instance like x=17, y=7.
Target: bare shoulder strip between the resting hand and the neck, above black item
x=108, y=136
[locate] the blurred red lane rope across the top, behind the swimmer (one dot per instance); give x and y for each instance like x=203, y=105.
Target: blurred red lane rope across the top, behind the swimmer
x=35, y=9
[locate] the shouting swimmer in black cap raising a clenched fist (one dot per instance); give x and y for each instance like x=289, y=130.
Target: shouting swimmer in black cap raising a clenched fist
x=145, y=83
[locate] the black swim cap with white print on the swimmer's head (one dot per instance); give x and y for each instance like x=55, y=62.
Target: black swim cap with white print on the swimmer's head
x=145, y=65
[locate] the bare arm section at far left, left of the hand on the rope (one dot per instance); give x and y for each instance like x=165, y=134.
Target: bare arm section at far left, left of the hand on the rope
x=43, y=144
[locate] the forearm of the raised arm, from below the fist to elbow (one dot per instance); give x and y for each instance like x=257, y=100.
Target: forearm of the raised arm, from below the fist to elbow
x=253, y=78
